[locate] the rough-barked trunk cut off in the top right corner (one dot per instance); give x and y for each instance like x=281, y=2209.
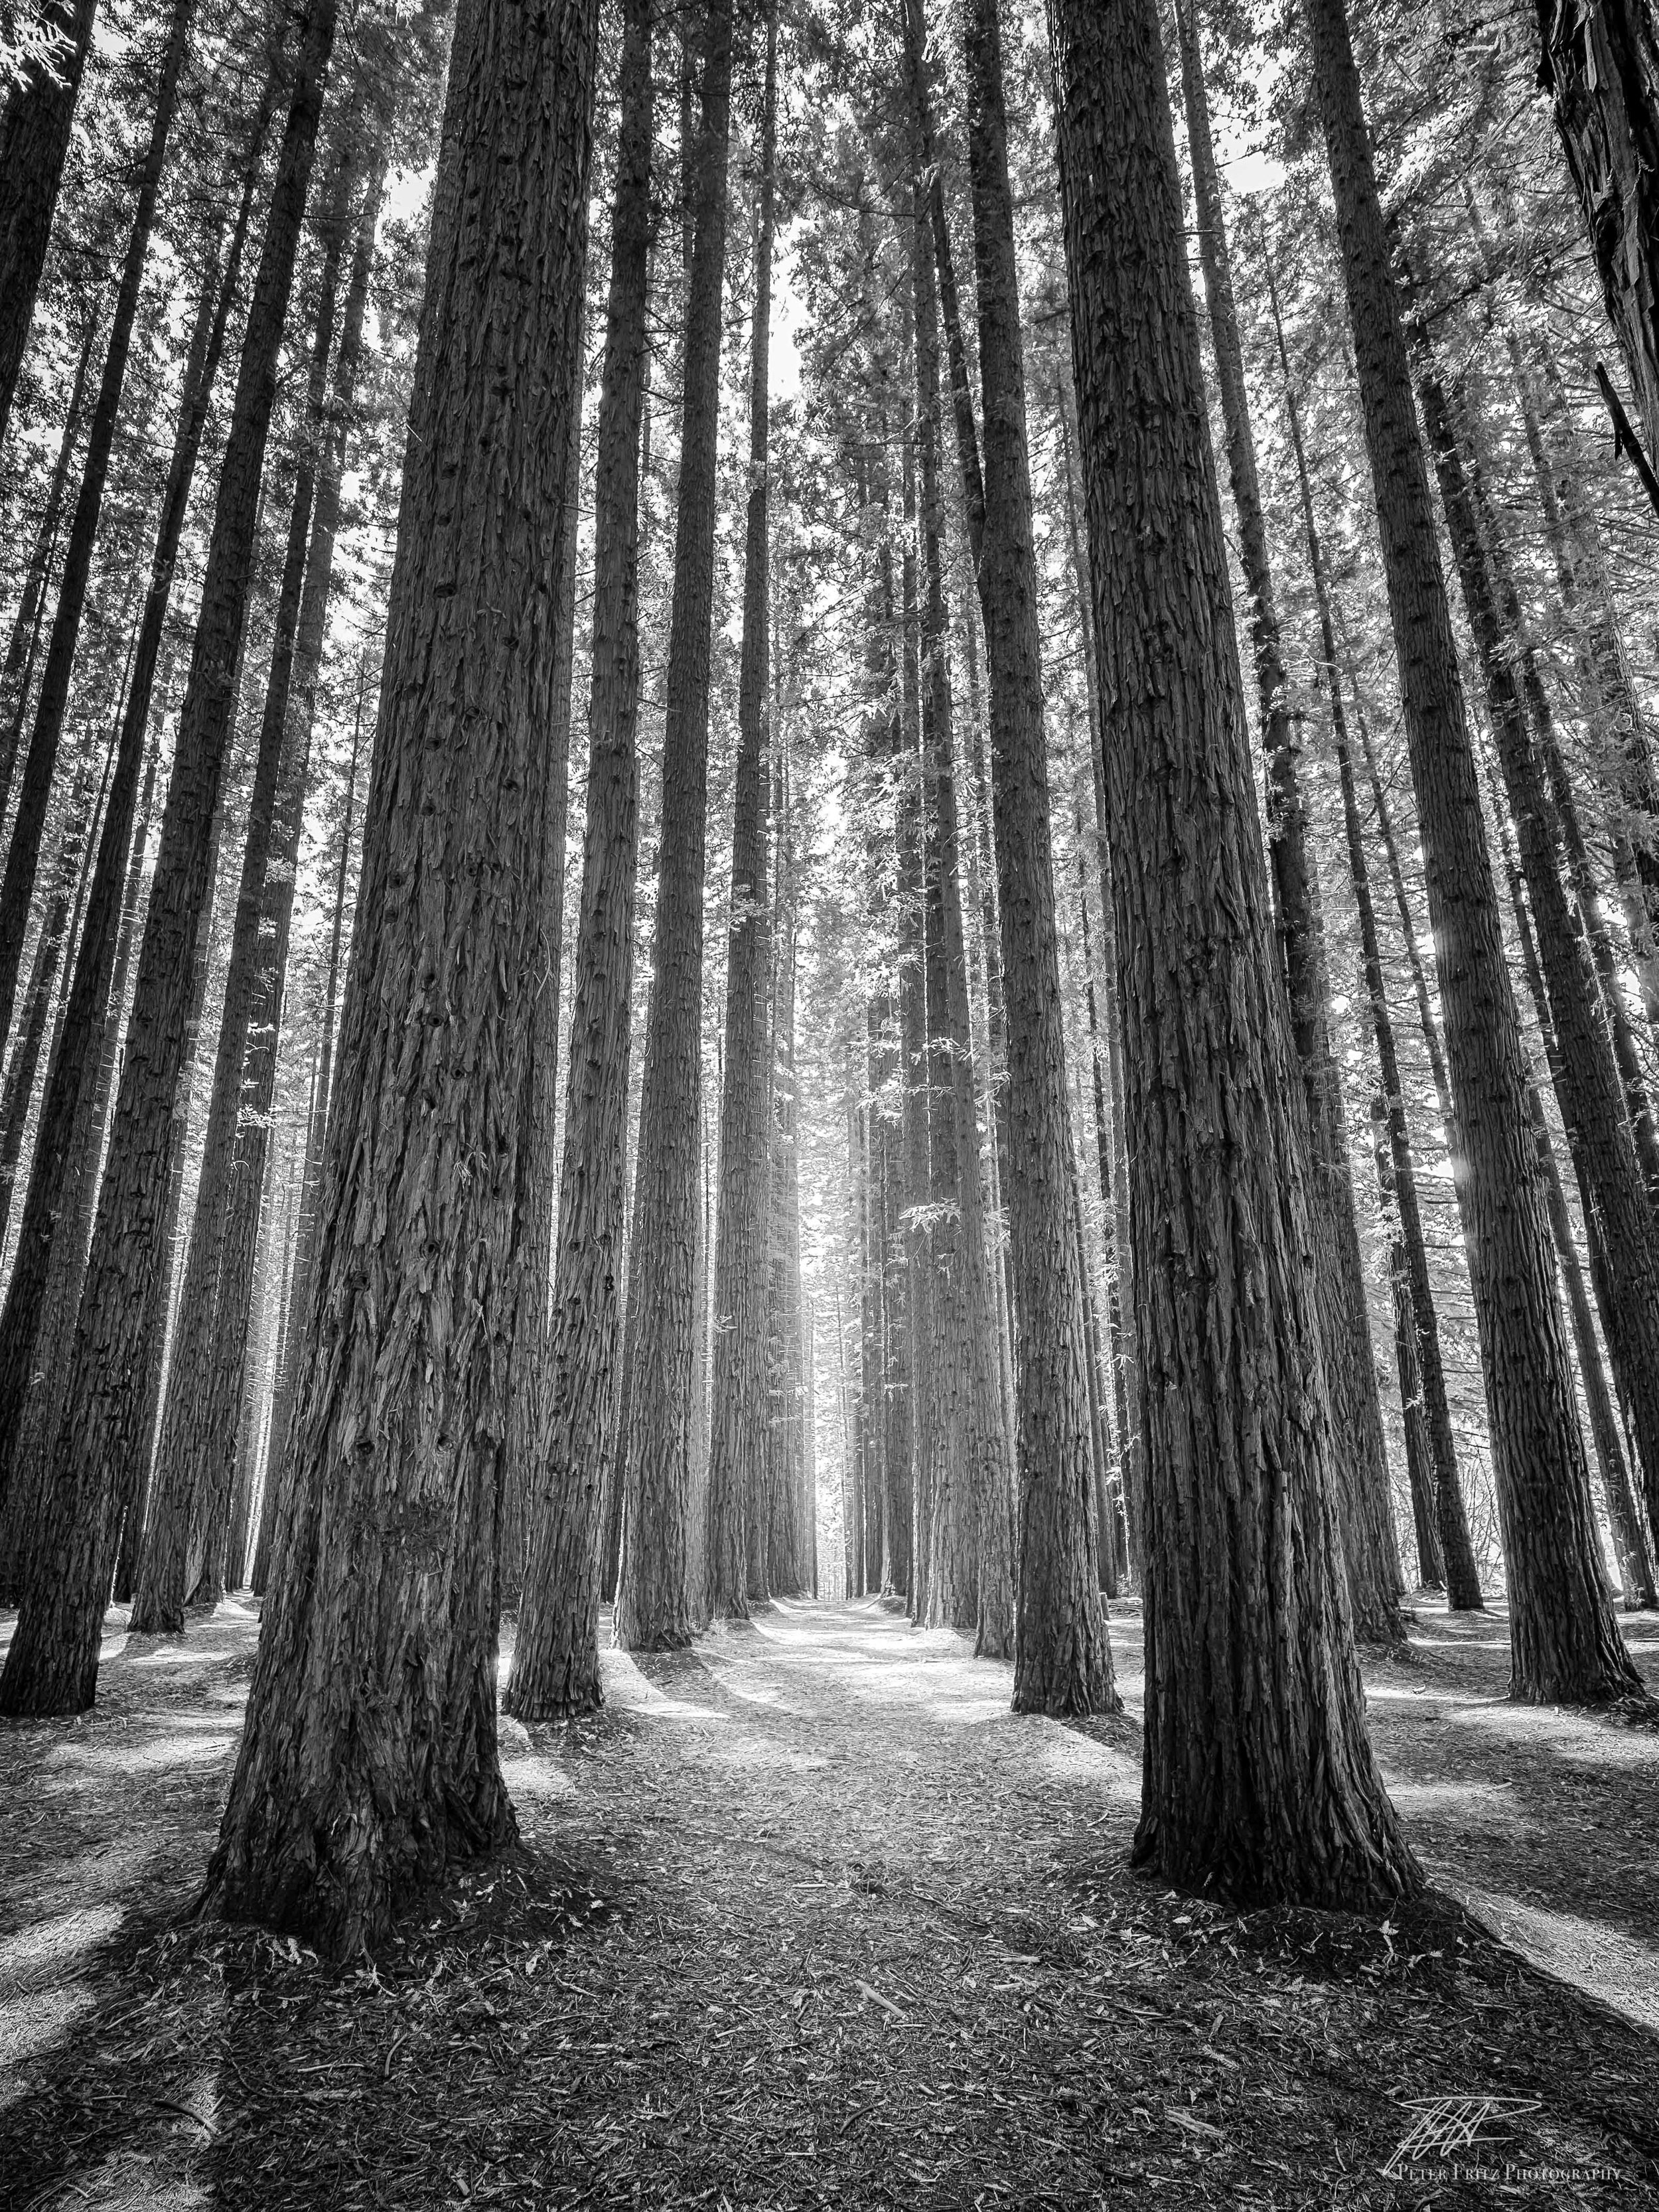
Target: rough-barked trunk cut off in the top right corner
x=1600, y=67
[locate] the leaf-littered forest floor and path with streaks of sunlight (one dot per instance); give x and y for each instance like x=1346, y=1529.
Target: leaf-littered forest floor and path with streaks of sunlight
x=806, y=1917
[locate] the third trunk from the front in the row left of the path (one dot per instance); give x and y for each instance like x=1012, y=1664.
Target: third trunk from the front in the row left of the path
x=651, y=1587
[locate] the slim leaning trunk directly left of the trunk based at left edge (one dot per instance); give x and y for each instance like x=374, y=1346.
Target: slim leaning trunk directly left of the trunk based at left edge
x=65, y=1171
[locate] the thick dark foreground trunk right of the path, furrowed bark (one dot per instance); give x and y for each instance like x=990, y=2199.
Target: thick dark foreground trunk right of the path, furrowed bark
x=1260, y=1780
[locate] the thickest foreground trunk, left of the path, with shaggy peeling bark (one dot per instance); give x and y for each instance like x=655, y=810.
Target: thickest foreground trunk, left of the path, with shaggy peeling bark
x=371, y=1760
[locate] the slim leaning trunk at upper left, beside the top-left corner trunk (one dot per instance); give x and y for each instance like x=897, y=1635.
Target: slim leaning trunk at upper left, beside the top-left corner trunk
x=34, y=793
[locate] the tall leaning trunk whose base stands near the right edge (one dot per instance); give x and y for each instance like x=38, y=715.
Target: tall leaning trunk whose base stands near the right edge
x=1563, y=1638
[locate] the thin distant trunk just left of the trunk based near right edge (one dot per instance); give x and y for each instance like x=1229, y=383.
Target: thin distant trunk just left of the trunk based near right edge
x=1452, y=1547
